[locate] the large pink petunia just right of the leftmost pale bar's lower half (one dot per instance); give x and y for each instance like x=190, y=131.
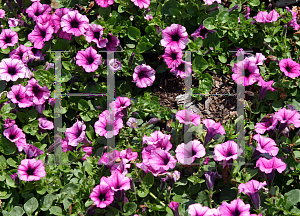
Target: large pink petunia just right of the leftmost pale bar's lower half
x=76, y=133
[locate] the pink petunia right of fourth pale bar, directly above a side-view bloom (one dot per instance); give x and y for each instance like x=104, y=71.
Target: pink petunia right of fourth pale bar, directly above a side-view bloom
x=265, y=145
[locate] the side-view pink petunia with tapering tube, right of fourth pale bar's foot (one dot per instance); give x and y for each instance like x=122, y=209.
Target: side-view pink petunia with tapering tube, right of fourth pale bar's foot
x=269, y=167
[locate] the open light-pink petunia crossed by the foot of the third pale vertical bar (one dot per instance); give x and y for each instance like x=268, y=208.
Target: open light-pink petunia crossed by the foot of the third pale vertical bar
x=187, y=153
